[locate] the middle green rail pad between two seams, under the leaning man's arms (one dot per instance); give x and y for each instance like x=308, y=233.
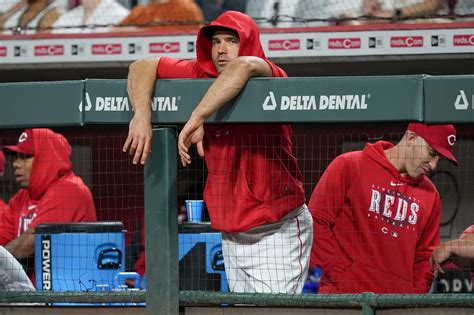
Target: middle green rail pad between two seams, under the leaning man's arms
x=348, y=99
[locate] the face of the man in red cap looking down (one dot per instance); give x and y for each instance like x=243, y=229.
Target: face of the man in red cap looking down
x=421, y=158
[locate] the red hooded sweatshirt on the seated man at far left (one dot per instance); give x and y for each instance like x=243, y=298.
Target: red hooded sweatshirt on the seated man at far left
x=54, y=193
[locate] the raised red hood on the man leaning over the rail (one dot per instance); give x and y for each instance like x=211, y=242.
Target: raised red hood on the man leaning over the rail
x=249, y=36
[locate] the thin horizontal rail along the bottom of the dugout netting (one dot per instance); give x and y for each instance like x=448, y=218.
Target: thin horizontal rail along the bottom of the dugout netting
x=201, y=298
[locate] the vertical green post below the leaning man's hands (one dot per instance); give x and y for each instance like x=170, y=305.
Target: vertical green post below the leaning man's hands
x=161, y=224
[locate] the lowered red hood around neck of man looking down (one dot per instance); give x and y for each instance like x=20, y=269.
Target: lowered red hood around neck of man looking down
x=376, y=152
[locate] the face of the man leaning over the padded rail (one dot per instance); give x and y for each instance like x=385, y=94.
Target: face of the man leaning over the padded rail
x=225, y=48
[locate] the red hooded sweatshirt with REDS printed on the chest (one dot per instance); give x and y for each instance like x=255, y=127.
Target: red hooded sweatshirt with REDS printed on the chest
x=374, y=230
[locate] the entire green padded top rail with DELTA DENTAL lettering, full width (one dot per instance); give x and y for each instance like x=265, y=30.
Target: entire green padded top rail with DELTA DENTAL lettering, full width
x=305, y=100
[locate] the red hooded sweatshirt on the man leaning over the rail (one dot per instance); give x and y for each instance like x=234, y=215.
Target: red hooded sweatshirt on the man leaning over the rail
x=253, y=177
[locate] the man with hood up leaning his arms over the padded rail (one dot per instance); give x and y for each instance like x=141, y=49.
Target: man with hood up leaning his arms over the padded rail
x=254, y=190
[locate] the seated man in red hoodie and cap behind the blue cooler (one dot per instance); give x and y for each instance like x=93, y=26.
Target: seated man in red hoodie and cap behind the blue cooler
x=49, y=190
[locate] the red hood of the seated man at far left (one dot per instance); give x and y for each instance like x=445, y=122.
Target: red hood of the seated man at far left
x=52, y=161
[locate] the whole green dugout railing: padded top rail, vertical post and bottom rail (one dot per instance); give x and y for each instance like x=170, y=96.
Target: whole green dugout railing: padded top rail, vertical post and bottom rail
x=295, y=100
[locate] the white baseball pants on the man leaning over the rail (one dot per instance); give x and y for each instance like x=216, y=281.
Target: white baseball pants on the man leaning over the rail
x=272, y=258
